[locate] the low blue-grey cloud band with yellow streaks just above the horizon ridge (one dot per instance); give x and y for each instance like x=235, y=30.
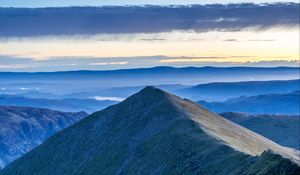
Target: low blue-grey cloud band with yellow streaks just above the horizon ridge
x=108, y=63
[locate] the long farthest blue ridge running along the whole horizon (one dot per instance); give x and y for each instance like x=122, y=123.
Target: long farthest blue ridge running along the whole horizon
x=161, y=71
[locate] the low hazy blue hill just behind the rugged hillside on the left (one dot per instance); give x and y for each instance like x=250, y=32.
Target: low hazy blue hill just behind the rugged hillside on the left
x=67, y=105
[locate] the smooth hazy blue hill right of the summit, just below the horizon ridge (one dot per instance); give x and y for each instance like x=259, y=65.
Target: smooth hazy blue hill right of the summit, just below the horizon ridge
x=225, y=90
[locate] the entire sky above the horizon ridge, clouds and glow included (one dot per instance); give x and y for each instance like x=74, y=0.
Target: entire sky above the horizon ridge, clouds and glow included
x=132, y=37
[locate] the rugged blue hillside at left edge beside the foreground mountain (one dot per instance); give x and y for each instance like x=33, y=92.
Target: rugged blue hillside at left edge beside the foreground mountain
x=22, y=129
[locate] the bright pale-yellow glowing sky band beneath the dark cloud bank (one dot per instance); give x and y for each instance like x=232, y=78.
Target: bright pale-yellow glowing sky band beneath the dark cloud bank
x=242, y=46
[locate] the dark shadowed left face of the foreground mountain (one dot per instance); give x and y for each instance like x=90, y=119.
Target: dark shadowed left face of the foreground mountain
x=146, y=134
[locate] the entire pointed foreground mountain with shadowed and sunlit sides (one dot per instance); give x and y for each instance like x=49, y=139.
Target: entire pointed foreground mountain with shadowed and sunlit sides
x=153, y=132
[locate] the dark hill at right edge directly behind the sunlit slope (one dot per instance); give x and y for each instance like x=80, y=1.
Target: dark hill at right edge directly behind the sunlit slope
x=282, y=129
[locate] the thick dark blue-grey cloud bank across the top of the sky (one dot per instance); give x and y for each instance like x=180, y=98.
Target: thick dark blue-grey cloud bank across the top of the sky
x=135, y=19
